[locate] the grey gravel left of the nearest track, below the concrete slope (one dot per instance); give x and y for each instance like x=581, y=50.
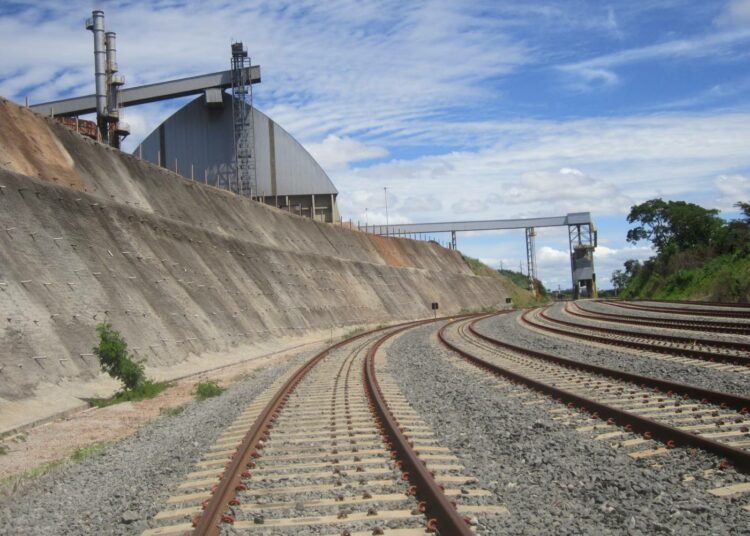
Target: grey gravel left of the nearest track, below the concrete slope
x=118, y=490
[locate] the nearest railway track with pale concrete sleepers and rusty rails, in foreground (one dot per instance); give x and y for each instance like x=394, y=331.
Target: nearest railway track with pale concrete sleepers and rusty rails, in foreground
x=332, y=448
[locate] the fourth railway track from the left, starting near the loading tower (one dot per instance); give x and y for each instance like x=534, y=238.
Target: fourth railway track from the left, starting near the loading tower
x=728, y=328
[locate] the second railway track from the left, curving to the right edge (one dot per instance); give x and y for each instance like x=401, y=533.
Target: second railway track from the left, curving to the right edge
x=675, y=414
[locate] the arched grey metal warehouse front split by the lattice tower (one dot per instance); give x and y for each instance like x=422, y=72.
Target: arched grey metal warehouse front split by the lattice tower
x=197, y=142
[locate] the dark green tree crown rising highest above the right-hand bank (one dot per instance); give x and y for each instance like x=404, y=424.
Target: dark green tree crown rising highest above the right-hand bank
x=673, y=225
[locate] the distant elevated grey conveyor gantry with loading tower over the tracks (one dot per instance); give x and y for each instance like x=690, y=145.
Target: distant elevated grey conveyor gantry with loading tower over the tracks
x=582, y=240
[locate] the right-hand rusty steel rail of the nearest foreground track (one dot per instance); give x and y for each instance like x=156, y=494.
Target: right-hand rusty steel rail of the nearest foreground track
x=447, y=519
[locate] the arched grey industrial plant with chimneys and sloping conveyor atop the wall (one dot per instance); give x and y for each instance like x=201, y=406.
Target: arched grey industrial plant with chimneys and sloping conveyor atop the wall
x=219, y=138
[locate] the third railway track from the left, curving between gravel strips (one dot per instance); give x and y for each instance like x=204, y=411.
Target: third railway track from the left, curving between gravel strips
x=734, y=356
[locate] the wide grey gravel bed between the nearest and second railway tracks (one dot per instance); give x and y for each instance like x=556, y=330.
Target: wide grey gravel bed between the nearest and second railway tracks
x=553, y=479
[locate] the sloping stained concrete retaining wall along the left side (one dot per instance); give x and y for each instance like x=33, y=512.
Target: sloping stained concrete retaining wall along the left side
x=184, y=271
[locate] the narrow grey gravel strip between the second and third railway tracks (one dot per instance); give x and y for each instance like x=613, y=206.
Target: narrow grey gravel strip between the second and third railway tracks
x=505, y=327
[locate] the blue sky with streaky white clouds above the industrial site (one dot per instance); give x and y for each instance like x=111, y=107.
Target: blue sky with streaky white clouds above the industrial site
x=465, y=110
